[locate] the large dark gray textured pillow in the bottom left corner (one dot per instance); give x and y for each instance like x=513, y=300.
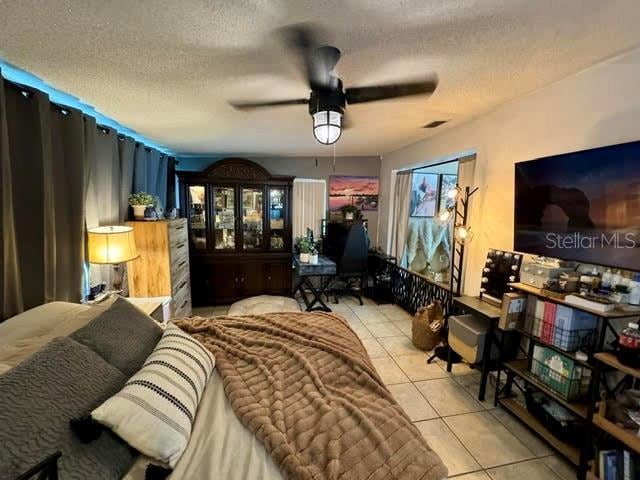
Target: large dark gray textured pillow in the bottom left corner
x=39, y=397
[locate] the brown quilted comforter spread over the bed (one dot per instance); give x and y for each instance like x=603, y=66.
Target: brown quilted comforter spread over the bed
x=304, y=385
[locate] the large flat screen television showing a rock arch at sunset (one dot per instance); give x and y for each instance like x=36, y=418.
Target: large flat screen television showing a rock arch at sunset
x=582, y=206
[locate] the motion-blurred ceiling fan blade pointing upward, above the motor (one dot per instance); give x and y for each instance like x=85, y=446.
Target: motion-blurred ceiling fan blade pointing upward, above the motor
x=318, y=61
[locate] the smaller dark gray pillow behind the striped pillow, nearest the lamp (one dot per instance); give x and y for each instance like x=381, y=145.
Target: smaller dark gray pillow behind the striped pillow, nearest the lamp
x=123, y=335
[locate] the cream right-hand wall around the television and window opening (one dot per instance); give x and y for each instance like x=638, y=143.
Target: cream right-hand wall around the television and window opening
x=599, y=106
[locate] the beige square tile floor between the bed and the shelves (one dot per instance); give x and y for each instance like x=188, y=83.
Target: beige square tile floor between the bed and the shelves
x=475, y=440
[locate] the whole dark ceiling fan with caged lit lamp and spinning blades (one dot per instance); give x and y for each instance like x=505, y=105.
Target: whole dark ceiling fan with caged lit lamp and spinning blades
x=328, y=99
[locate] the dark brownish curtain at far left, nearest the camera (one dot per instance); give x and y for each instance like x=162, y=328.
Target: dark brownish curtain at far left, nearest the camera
x=43, y=160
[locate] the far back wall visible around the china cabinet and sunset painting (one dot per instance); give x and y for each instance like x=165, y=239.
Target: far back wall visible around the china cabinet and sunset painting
x=305, y=167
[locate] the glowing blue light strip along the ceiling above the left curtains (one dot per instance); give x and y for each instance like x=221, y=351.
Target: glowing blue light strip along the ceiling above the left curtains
x=22, y=77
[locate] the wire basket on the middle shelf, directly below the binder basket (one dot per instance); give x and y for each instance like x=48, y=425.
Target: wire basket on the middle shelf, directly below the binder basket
x=560, y=373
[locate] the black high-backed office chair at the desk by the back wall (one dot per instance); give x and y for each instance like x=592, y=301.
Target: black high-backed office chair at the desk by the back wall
x=351, y=276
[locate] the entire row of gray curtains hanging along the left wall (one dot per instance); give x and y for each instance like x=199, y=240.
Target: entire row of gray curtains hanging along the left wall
x=61, y=173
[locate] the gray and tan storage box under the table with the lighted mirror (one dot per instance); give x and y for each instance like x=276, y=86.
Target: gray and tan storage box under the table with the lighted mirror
x=467, y=336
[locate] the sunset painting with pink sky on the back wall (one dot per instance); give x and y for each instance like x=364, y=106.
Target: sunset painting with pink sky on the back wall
x=353, y=190
